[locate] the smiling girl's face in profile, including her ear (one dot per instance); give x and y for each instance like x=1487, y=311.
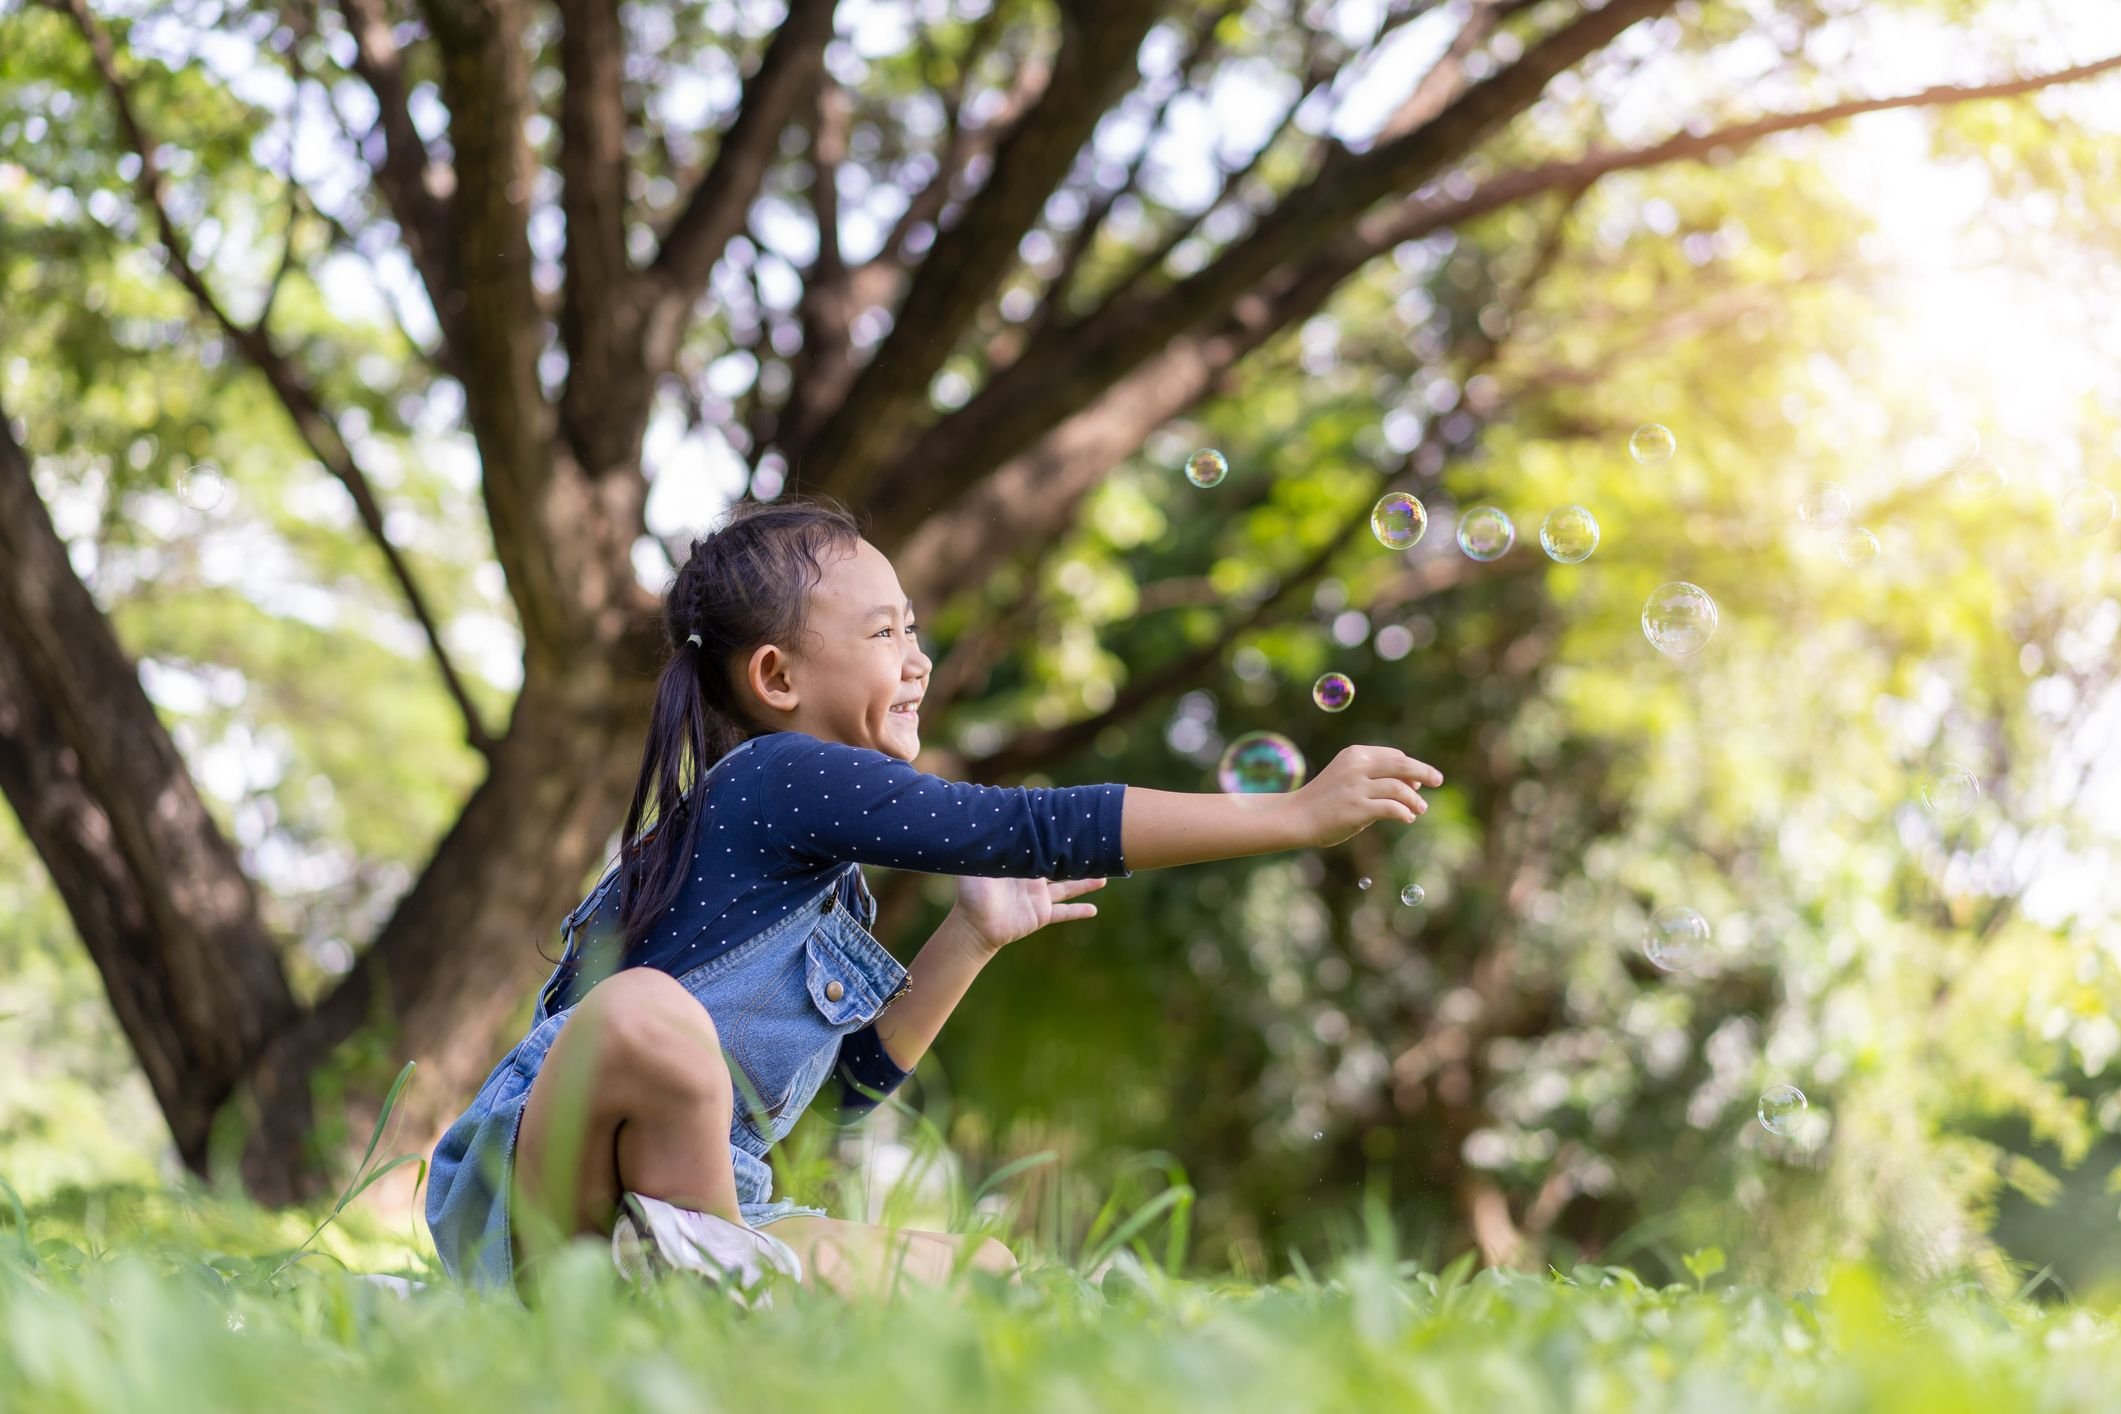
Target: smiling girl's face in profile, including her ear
x=858, y=675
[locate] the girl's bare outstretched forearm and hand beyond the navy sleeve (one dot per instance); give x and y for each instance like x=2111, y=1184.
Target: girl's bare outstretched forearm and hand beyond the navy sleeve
x=1361, y=788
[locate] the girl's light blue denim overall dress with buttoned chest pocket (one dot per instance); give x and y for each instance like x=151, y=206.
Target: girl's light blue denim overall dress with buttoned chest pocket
x=782, y=1002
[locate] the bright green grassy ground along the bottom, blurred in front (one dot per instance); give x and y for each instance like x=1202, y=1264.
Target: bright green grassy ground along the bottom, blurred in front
x=177, y=1303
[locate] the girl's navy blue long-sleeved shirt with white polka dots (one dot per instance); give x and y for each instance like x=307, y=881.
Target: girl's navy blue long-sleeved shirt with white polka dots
x=786, y=813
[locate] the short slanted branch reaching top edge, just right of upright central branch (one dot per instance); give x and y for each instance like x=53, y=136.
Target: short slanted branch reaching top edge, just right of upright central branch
x=722, y=200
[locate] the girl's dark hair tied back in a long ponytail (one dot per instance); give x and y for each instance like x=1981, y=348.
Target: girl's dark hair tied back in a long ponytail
x=743, y=586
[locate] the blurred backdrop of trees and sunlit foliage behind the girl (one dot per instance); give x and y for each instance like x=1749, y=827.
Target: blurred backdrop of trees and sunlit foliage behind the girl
x=370, y=368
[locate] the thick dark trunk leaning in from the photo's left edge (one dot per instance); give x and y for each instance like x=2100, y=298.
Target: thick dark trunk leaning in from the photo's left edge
x=107, y=802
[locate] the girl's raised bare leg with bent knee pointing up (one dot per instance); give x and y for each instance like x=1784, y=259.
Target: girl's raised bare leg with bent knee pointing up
x=633, y=1097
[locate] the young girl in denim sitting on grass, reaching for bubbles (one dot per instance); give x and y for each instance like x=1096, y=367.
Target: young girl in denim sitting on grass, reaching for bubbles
x=724, y=970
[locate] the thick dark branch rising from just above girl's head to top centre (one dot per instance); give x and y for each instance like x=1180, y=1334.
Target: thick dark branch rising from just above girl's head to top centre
x=1098, y=58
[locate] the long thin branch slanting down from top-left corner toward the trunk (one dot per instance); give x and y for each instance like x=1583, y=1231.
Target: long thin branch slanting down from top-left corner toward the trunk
x=256, y=342
